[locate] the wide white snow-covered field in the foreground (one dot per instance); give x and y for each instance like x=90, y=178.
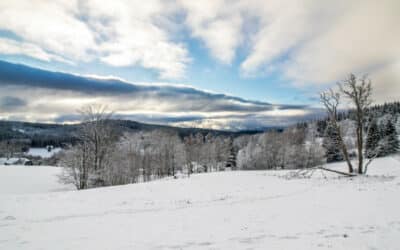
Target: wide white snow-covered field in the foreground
x=225, y=210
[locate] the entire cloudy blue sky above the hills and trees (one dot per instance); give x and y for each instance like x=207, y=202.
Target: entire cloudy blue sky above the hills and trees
x=214, y=64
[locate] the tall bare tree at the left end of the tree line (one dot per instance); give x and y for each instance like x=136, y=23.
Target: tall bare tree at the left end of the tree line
x=90, y=157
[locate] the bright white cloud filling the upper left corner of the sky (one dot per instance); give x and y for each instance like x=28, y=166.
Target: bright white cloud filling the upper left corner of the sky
x=50, y=25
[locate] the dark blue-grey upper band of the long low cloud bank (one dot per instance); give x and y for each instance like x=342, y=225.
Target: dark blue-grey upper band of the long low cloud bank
x=179, y=97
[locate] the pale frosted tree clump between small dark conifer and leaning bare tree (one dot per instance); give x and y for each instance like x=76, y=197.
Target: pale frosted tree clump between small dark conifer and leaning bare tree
x=295, y=147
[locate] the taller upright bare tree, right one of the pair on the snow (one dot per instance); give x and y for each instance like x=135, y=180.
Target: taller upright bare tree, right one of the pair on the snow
x=359, y=92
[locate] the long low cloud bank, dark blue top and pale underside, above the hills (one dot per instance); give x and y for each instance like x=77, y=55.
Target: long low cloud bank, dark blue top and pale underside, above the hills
x=56, y=97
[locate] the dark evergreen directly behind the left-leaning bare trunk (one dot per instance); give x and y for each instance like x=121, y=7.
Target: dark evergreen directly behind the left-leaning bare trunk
x=331, y=143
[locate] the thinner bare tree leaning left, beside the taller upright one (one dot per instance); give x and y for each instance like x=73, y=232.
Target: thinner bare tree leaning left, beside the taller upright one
x=331, y=100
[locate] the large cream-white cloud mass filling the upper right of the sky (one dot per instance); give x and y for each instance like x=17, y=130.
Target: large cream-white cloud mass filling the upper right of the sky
x=306, y=42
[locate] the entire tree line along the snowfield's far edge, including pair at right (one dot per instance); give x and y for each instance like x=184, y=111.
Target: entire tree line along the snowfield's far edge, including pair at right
x=103, y=155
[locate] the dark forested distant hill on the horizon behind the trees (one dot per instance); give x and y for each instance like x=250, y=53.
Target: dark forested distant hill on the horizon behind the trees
x=42, y=134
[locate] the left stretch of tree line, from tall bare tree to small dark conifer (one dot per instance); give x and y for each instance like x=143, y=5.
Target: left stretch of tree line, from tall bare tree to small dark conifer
x=103, y=156
